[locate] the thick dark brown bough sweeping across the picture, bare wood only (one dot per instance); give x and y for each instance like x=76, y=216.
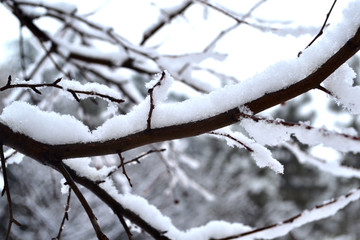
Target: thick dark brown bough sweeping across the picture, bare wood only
x=41, y=151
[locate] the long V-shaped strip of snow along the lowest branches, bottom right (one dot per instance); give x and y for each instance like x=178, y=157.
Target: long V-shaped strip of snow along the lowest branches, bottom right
x=222, y=229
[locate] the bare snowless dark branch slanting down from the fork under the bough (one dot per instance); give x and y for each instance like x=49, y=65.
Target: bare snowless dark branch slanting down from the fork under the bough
x=80, y=196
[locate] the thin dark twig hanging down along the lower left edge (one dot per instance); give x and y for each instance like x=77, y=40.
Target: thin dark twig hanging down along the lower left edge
x=7, y=190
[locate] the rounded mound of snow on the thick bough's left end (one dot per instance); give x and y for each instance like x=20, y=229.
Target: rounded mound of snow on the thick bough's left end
x=47, y=127
